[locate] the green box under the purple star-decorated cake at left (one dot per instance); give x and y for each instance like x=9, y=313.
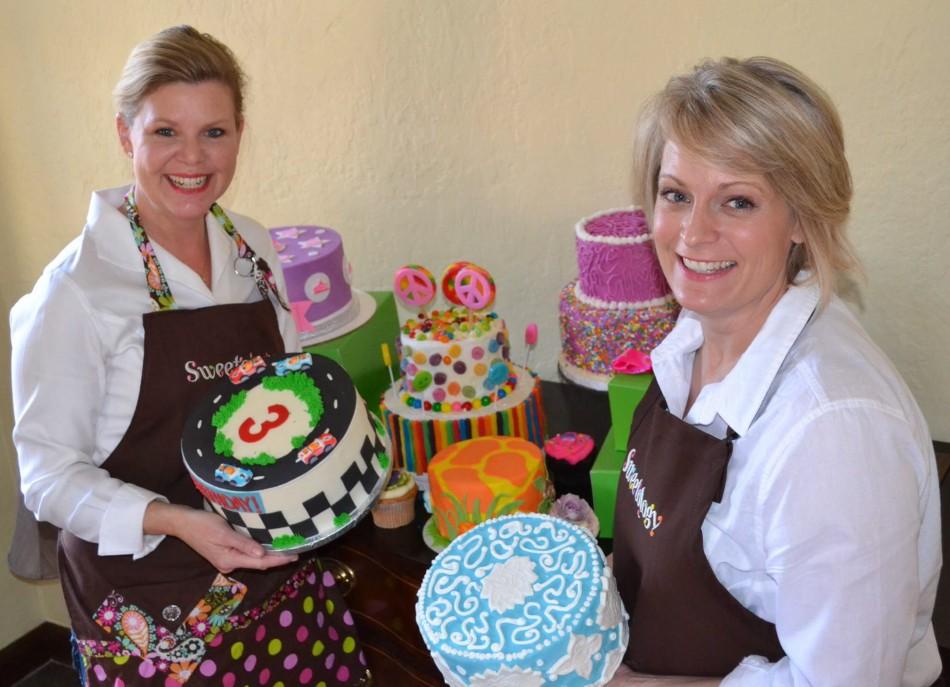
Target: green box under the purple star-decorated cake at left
x=359, y=351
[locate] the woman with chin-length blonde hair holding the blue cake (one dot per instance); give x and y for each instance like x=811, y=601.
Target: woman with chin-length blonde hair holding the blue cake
x=791, y=470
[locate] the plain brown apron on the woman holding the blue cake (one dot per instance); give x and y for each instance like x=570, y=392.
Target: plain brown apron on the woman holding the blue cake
x=682, y=620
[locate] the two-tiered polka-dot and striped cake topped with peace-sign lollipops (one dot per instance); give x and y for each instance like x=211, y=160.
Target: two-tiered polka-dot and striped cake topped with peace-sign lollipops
x=458, y=381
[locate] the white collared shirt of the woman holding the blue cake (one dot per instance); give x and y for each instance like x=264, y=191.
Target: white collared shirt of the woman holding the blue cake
x=829, y=526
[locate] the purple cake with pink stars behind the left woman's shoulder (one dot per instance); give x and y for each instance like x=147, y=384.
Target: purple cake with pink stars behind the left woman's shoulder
x=318, y=278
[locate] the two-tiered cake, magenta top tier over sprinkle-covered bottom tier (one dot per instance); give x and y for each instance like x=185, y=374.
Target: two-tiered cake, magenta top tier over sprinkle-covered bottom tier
x=620, y=299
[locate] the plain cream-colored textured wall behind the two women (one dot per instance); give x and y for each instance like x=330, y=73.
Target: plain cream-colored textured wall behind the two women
x=434, y=131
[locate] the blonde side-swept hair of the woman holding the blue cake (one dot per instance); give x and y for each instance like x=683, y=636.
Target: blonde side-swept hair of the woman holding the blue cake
x=761, y=116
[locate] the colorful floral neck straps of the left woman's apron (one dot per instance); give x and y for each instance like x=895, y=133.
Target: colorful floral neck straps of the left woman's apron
x=247, y=264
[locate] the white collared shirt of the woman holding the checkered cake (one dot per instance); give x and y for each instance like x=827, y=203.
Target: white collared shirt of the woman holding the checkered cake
x=77, y=365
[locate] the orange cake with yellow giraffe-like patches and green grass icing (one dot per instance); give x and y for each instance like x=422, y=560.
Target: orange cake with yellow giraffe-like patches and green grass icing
x=479, y=479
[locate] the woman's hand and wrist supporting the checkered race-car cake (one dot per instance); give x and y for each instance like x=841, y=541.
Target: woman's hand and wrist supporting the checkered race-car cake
x=212, y=537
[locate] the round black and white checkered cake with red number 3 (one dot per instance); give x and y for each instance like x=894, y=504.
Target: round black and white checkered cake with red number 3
x=286, y=451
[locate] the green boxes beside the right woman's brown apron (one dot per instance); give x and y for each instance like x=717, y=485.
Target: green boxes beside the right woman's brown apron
x=624, y=393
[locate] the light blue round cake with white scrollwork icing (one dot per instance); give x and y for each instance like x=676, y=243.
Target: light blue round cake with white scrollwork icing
x=524, y=600
